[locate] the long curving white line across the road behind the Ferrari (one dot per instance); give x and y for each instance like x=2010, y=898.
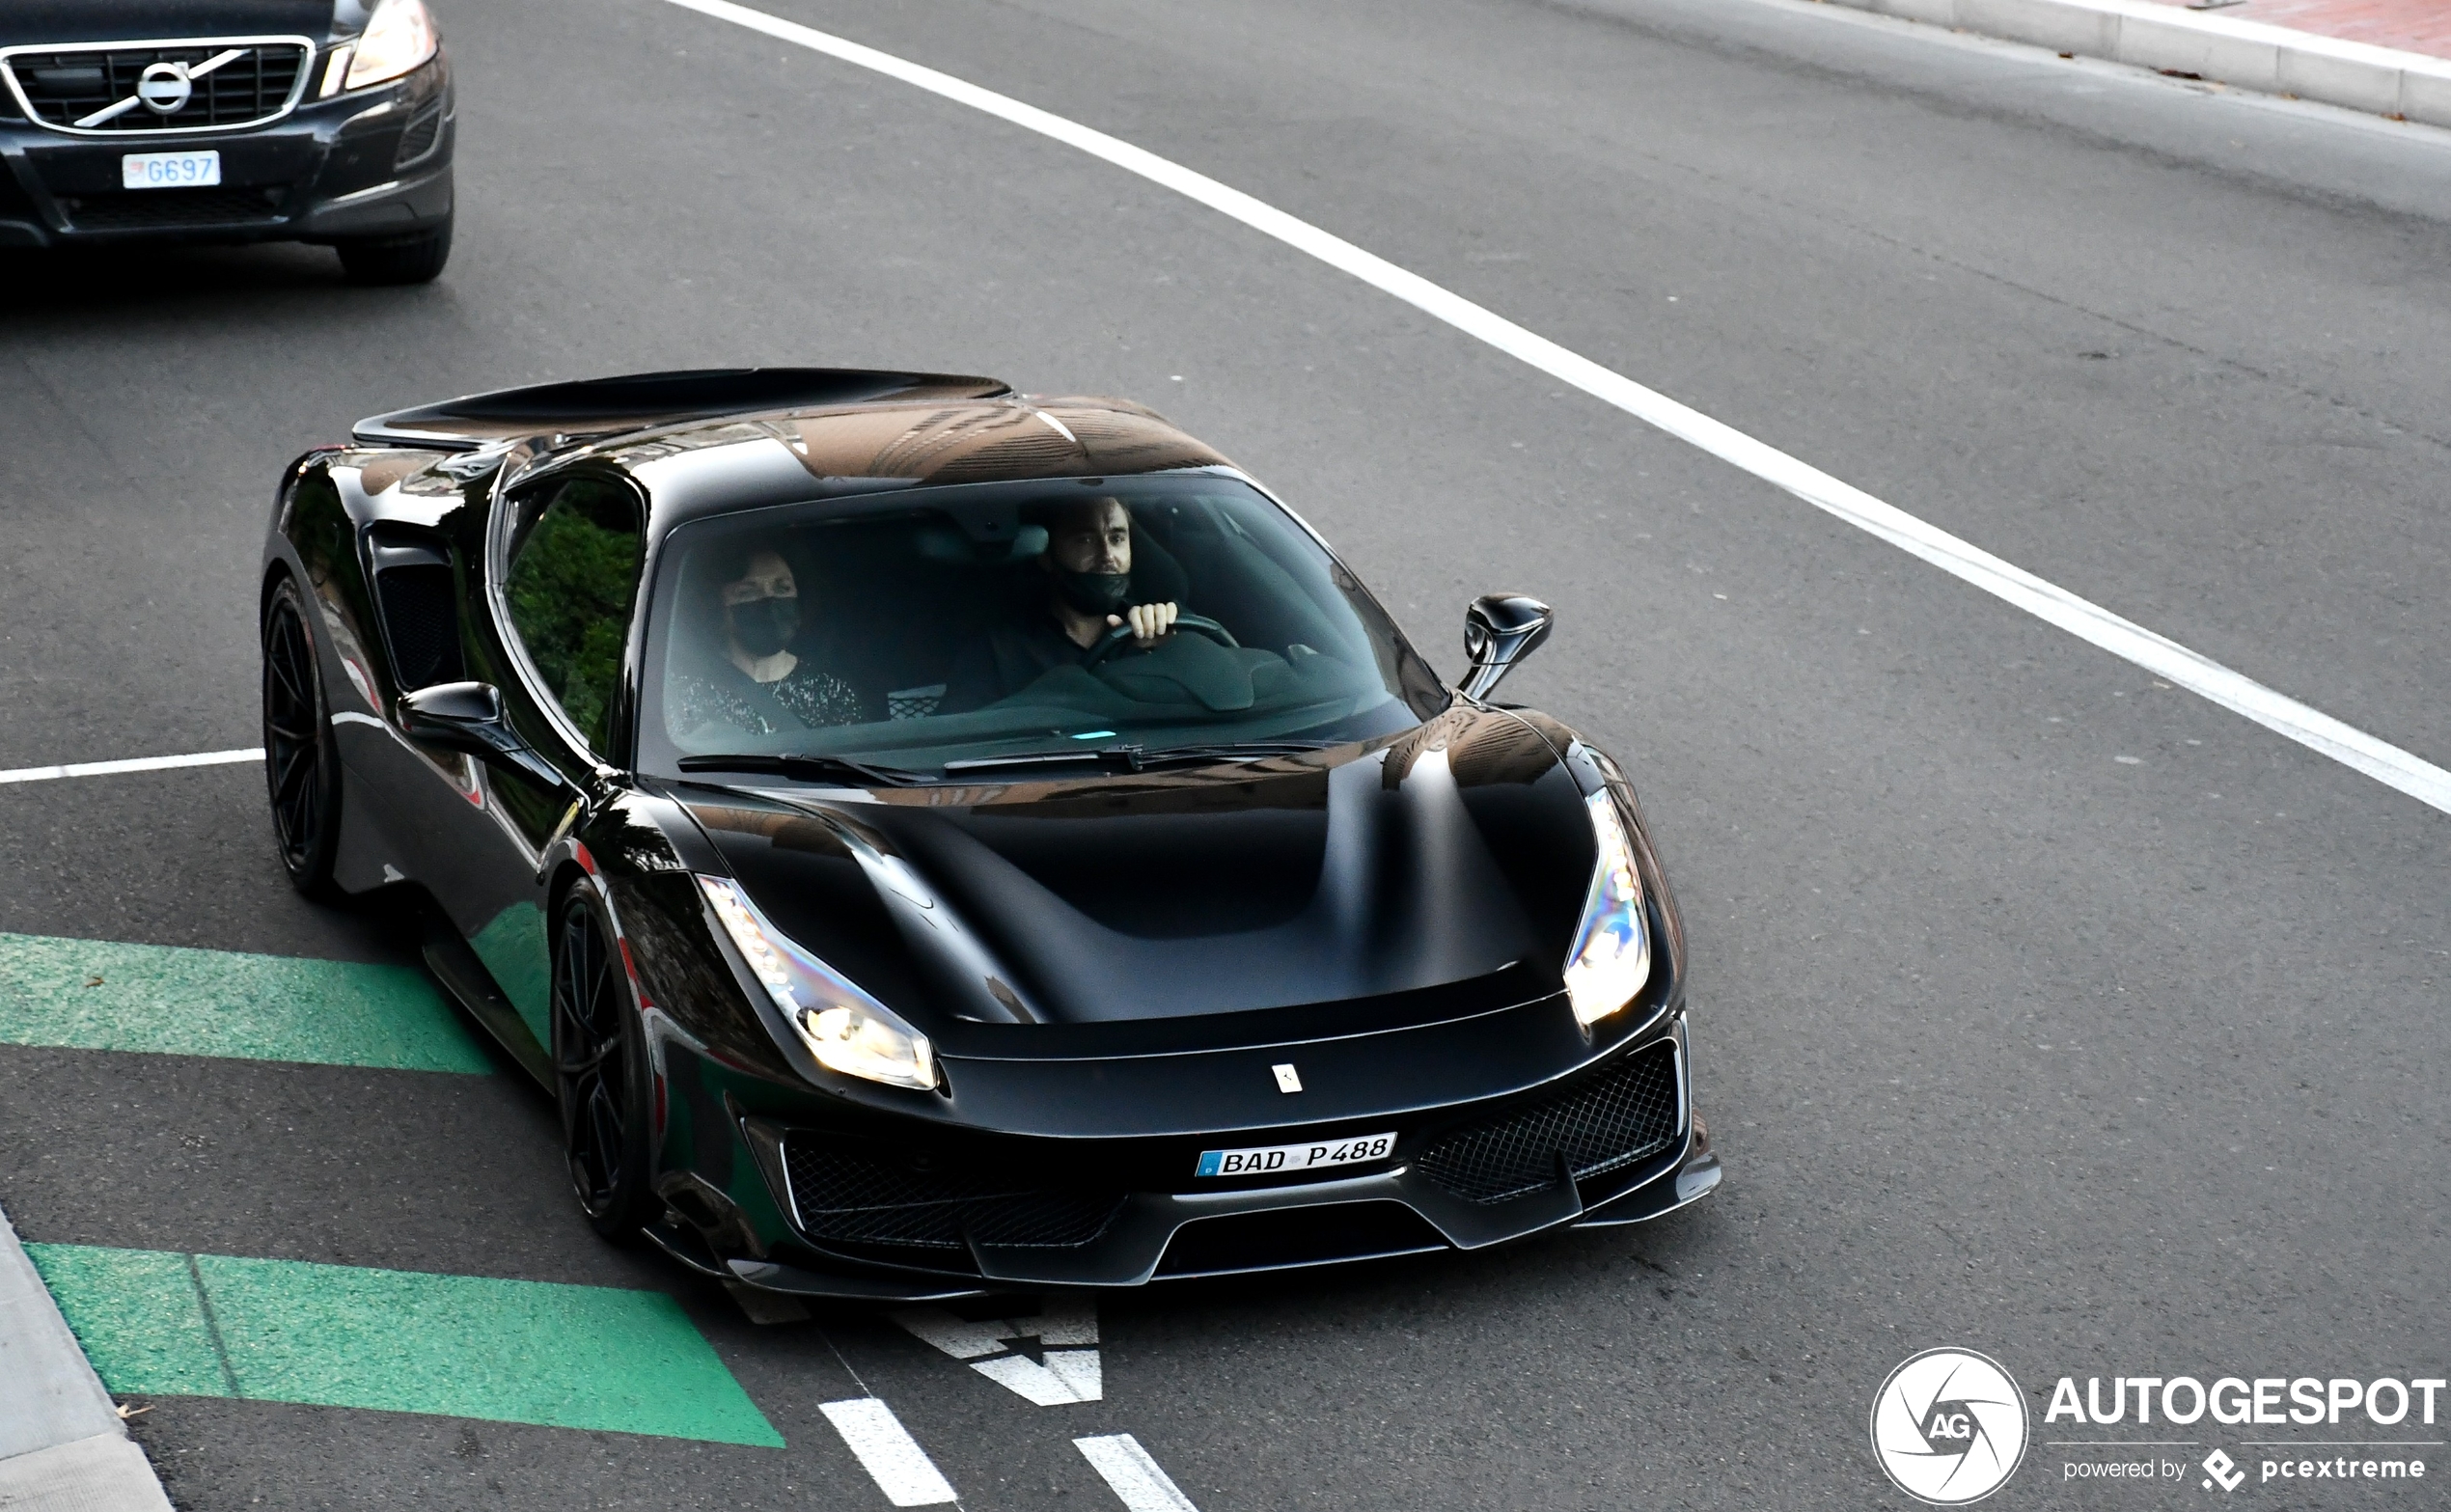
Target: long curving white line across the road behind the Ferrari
x=2001, y=580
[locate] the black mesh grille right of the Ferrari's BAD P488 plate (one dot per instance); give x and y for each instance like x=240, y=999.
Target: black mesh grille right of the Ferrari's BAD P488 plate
x=1599, y=1126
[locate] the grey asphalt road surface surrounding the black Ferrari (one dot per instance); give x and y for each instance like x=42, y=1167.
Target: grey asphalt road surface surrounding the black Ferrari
x=2038, y=1008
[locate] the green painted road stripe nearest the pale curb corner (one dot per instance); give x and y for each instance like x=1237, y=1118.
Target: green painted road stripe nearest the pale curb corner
x=401, y=1342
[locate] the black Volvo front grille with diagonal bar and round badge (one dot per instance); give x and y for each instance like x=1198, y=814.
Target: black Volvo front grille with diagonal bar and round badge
x=77, y=85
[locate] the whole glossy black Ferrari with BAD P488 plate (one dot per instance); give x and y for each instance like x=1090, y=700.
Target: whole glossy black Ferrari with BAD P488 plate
x=935, y=839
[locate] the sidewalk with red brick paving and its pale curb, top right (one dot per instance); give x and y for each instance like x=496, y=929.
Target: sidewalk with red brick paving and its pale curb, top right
x=2388, y=58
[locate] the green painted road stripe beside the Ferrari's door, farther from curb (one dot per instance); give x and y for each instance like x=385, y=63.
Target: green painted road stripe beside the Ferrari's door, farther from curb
x=82, y=994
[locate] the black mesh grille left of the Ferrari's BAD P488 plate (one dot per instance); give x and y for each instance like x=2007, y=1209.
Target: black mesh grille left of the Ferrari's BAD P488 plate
x=862, y=1195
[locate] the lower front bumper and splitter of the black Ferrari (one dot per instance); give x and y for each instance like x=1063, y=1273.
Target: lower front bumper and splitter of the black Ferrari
x=761, y=1234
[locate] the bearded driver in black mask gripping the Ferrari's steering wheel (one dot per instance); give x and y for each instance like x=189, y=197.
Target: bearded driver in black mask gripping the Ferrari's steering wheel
x=1089, y=592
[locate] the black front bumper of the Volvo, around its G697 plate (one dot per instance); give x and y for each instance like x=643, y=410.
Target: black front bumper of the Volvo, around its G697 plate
x=364, y=165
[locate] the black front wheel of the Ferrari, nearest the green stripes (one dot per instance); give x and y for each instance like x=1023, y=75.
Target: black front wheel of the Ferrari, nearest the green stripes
x=599, y=1070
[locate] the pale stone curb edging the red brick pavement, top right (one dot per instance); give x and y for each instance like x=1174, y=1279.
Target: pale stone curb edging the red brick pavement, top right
x=2173, y=40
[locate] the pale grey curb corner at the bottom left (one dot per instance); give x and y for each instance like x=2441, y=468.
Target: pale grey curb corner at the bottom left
x=63, y=1445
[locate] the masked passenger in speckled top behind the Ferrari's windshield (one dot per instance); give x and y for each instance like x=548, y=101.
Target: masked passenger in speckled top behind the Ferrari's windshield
x=761, y=682
